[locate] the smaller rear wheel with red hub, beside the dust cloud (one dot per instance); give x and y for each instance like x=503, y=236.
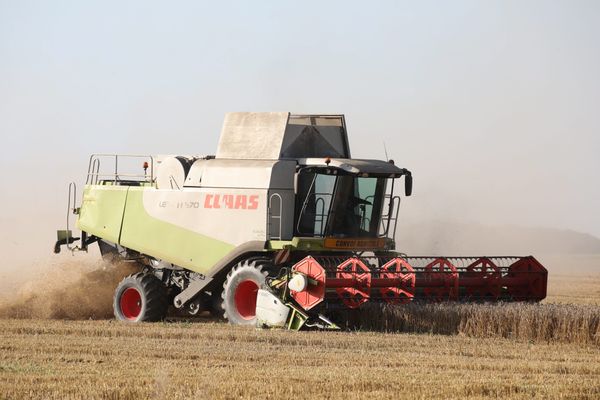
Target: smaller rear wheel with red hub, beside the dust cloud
x=140, y=297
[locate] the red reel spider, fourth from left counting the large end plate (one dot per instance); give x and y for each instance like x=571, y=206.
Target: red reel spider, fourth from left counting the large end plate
x=441, y=280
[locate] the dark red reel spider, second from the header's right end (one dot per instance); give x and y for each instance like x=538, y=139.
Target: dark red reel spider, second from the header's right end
x=488, y=278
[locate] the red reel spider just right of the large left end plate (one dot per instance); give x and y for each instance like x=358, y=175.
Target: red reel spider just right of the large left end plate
x=359, y=282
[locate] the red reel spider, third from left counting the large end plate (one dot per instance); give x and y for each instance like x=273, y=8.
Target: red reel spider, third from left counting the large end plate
x=398, y=269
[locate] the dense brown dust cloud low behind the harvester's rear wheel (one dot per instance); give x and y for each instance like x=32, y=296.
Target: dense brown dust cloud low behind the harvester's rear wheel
x=65, y=290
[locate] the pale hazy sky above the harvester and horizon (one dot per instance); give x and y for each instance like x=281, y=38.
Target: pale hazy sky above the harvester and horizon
x=494, y=106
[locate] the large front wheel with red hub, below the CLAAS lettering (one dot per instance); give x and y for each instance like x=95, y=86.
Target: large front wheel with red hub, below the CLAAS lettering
x=240, y=290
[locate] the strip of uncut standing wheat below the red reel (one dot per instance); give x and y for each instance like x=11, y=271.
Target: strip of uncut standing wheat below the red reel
x=566, y=323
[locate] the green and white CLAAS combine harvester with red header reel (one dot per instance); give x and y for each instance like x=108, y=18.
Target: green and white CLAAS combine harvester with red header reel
x=280, y=228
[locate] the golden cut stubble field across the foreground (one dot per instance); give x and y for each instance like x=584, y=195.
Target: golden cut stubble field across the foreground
x=105, y=359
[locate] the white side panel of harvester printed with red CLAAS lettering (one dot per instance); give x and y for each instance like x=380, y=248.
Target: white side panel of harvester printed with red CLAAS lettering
x=227, y=182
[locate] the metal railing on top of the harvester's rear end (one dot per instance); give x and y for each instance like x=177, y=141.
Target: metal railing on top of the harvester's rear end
x=94, y=174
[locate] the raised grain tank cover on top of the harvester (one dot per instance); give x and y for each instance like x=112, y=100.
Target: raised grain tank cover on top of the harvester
x=281, y=135
